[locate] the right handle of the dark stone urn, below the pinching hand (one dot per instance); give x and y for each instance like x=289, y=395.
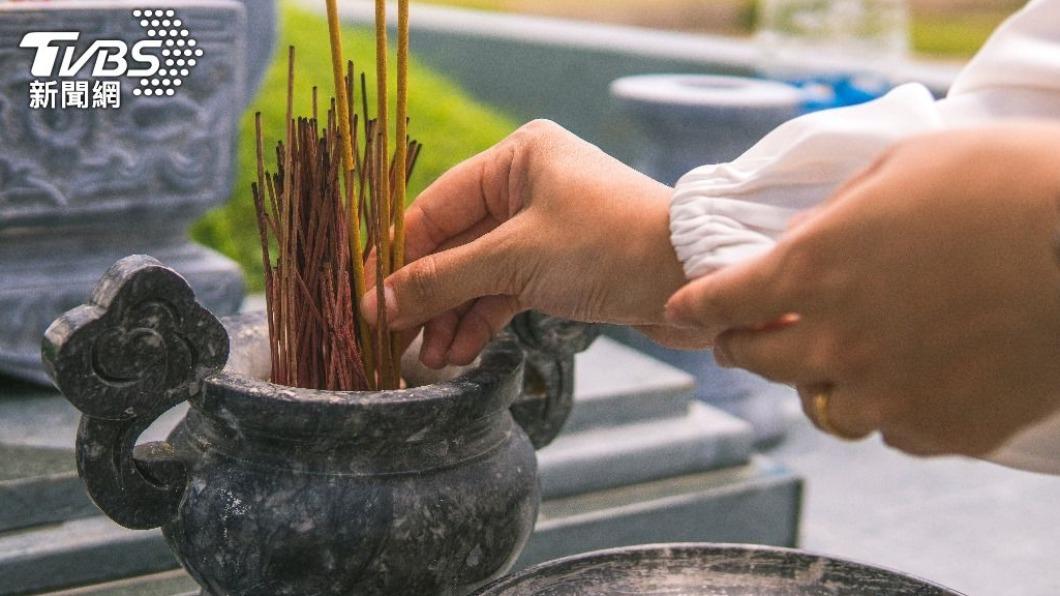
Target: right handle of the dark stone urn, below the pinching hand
x=549, y=387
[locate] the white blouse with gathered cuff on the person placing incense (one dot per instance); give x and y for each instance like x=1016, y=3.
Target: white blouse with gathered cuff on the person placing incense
x=729, y=213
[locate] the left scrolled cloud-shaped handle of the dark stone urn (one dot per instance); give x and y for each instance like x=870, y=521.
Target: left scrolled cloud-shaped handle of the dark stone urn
x=140, y=346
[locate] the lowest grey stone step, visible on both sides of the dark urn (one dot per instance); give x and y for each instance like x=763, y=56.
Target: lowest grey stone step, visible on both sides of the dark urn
x=757, y=503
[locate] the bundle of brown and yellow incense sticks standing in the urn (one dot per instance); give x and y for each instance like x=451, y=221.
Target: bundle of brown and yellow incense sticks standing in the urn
x=334, y=200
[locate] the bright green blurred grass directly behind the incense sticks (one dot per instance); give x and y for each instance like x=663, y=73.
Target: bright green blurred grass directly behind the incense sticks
x=452, y=127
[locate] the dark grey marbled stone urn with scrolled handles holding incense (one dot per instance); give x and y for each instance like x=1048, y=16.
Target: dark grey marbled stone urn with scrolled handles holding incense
x=266, y=489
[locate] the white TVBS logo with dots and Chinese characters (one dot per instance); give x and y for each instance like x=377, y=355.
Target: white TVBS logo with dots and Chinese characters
x=161, y=63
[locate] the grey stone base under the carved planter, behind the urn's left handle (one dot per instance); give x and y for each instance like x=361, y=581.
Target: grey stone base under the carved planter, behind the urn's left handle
x=42, y=281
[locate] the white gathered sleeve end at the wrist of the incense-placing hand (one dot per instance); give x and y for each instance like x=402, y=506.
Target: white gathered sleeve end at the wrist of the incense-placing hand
x=726, y=214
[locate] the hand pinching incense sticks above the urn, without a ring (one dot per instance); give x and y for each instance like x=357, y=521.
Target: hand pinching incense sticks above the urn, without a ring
x=543, y=221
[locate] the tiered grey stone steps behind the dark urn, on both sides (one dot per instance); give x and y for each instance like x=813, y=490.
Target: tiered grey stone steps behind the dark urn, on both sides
x=641, y=462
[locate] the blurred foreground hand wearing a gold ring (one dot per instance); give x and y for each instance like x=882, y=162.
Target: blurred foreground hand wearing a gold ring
x=925, y=296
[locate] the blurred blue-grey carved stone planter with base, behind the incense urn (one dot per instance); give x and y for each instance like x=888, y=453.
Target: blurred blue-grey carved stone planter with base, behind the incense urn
x=82, y=187
